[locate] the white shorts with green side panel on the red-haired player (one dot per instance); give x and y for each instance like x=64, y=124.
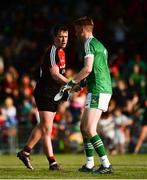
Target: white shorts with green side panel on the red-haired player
x=100, y=101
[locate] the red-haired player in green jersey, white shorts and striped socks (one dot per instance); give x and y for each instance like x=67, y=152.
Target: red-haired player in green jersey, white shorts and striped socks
x=99, y=87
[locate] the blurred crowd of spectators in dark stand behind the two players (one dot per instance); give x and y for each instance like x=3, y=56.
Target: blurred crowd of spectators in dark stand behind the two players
x=25, y=32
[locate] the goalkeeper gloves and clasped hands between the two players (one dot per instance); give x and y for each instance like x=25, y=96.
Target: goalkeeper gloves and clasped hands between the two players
x=70, y=86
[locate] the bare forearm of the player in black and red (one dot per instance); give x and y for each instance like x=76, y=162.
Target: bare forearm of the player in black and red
x=54, y=70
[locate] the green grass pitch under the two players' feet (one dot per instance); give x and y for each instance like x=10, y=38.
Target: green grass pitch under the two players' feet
x=125, y=167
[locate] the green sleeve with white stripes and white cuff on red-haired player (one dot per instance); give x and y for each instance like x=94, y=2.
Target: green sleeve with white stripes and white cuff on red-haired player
x=88, y=49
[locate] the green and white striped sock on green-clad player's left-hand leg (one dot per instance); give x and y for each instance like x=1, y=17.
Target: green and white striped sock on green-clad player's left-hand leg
x=89, y=150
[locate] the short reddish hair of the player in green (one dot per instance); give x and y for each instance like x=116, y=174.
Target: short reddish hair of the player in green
x=84, y=21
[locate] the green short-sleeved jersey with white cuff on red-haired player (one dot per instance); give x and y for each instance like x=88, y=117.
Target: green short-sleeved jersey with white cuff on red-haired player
x=99, y=80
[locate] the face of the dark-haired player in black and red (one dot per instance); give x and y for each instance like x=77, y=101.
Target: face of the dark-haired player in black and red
x=61, y=39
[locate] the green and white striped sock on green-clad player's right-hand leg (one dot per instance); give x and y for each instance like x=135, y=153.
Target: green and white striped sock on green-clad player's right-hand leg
x=100, y=149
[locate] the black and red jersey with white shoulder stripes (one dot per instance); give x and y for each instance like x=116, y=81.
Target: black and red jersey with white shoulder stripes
x=46, y=83
